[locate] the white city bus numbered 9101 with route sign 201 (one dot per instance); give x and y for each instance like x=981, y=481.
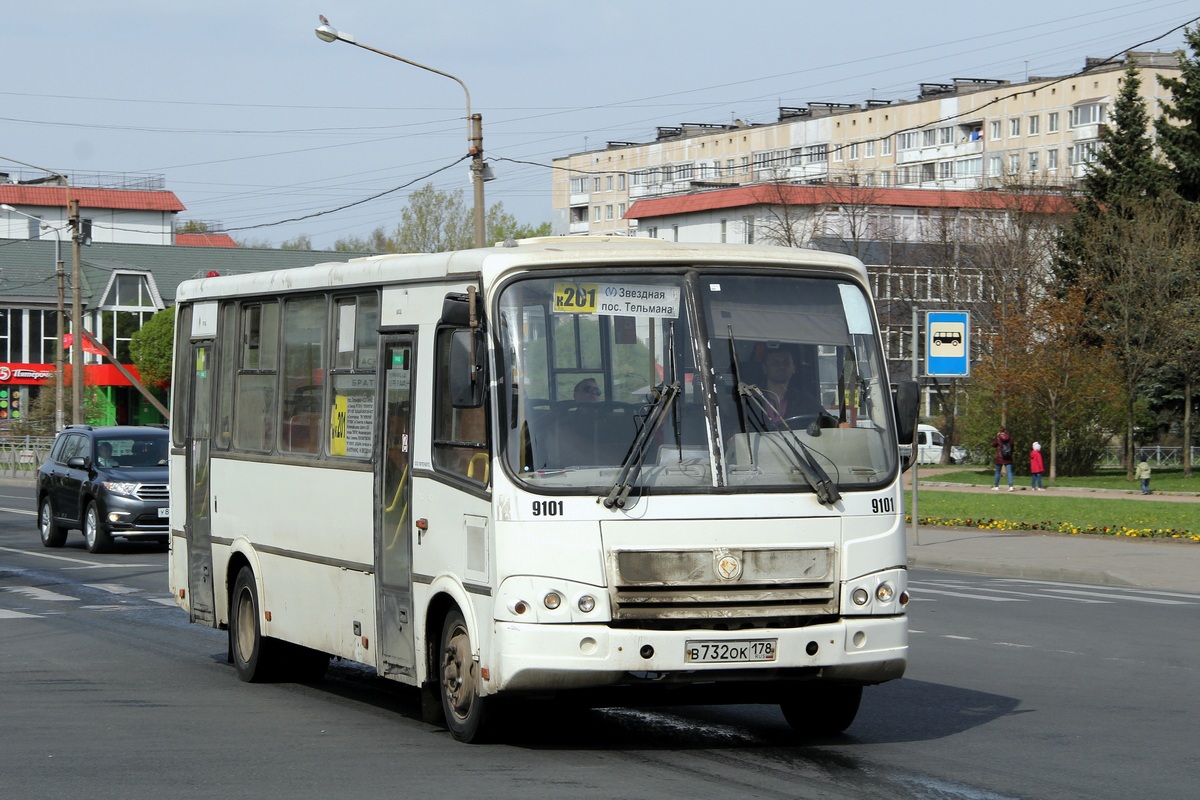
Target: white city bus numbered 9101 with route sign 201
x=615, y=468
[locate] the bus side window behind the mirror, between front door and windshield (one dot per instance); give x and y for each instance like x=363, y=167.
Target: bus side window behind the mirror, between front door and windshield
x=460, y=435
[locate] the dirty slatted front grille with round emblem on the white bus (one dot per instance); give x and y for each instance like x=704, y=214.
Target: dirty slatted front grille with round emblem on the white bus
x=723, y=584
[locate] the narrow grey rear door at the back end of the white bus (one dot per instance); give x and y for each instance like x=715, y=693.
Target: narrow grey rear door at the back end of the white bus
x=200, y=530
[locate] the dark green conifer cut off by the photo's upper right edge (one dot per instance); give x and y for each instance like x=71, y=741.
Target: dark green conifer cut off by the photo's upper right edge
x=1179, y=128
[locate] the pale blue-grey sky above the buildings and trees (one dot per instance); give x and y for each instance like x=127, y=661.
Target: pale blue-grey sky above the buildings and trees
x=253, y=121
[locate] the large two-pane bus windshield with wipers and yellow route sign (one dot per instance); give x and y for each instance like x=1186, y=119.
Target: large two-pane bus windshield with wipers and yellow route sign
x=694, y=380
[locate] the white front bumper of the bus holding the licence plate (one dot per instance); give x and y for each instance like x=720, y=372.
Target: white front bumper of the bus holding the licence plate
x=561, y=658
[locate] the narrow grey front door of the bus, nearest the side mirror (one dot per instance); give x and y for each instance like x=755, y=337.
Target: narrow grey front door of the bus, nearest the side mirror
x=394, y=540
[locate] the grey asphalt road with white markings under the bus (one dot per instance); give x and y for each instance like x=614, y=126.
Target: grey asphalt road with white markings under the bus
x=1017, y=689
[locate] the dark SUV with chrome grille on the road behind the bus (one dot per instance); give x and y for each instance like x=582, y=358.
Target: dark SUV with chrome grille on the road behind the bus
x=106, y=482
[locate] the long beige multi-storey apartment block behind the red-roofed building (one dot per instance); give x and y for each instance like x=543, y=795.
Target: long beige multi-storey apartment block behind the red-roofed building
x=971, y=134
